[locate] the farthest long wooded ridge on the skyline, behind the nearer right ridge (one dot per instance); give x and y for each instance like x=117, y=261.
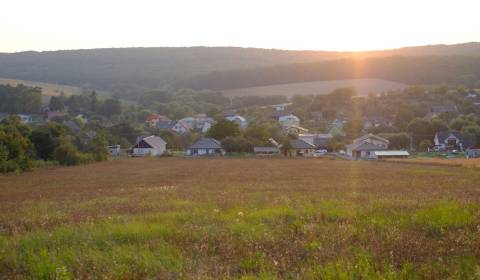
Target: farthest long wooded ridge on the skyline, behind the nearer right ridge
x=131, y=71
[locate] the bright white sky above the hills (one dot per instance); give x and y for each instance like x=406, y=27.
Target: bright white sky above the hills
x=342, y=25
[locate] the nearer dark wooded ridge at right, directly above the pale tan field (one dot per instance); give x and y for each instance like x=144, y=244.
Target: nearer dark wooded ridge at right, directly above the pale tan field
x=461, y=70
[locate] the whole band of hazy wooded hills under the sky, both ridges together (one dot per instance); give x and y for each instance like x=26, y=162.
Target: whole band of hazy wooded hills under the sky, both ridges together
x=129, y=72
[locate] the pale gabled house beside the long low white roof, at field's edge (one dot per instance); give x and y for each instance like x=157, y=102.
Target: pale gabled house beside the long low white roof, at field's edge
x=365, y=146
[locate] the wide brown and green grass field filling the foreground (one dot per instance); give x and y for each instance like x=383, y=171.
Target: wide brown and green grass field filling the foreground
x=241, y=218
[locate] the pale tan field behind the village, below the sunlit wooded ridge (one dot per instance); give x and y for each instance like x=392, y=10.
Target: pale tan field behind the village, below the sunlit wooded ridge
x=363, y=86
